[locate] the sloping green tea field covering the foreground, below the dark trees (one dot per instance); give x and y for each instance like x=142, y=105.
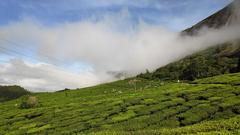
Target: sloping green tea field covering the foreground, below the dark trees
x=208, y=106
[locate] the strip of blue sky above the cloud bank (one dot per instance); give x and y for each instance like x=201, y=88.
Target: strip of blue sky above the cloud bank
x=174, y=14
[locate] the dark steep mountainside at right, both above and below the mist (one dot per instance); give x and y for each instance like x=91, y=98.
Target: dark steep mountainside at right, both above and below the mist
x=216, y=60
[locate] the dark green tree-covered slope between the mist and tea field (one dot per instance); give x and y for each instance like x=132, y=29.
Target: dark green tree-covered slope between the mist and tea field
x=213, y=61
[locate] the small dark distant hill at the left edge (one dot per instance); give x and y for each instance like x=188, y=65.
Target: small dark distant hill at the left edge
x=11, y=92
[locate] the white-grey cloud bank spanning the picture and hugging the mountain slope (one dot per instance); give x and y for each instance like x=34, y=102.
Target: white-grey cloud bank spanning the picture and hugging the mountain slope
x=104, y=46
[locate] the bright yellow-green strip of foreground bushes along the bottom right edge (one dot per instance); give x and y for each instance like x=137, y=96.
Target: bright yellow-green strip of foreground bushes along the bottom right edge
x=220, y=127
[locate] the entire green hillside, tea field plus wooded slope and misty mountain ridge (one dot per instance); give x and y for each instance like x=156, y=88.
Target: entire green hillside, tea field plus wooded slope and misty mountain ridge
x=199, y=94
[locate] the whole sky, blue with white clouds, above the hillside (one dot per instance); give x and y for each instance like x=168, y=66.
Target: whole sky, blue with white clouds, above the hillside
x=47, y=45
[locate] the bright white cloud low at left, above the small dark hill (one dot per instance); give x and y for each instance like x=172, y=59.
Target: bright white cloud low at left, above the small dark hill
x=43, y=77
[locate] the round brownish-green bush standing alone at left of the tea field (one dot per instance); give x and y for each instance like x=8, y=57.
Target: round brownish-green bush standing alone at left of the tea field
x=29, y=102
